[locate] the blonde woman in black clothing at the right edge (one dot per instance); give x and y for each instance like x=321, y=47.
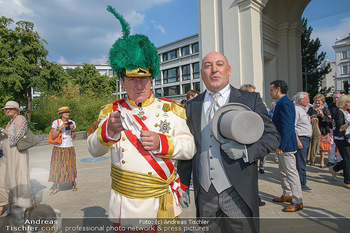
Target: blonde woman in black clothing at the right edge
x=342, y=128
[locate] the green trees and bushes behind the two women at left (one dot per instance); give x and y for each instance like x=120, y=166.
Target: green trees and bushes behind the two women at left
x=23, y=66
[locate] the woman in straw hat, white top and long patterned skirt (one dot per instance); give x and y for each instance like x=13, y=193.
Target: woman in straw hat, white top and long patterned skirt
x=63, y=161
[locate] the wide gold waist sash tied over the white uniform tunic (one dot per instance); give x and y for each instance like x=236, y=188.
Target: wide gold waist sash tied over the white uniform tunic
x=139, y=185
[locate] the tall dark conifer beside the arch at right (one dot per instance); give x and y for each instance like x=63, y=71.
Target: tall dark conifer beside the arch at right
x=311, y=61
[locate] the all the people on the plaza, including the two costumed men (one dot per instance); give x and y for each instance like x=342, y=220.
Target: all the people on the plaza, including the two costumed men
x=146, y=135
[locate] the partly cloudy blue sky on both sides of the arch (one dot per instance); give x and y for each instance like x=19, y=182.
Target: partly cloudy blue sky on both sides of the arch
x=82, y=31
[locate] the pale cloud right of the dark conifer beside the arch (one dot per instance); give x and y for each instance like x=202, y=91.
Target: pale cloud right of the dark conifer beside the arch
x=328, y=36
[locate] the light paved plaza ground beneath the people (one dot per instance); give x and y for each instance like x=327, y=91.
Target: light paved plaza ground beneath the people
x=326, y=208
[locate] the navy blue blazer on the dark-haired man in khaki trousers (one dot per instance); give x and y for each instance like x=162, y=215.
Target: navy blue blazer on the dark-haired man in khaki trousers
x=284, y=120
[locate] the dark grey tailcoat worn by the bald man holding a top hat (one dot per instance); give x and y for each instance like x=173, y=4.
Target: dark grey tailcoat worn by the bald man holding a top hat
x=243, y=176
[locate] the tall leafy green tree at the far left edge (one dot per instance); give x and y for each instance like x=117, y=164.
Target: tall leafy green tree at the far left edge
x=23, y=63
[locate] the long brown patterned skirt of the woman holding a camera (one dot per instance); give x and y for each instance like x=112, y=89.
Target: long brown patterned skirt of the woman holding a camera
x=63, y=168
